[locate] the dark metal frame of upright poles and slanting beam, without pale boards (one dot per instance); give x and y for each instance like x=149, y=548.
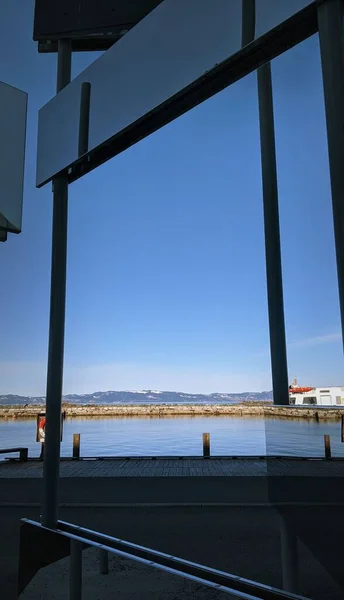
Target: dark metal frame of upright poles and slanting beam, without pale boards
x=251, y=57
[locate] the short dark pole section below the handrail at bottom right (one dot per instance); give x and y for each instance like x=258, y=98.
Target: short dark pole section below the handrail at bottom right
x=289, y=554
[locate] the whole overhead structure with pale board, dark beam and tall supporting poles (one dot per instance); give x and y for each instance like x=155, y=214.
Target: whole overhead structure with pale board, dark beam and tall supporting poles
x=178, y=54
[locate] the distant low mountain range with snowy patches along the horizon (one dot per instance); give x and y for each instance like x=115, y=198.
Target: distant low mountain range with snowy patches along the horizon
x=143, y=397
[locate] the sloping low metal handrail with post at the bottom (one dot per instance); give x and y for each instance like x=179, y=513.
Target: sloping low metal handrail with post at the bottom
x=238, y=588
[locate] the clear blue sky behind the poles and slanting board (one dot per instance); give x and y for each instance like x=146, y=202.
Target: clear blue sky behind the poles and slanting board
x=166, y=276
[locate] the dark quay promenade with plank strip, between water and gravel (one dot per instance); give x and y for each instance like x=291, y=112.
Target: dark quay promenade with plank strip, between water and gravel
x=189, y=480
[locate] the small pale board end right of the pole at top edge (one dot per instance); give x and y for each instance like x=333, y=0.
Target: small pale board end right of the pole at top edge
x=270, y=13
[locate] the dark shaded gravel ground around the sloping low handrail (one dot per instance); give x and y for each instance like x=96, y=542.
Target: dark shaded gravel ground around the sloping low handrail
x=243, y=541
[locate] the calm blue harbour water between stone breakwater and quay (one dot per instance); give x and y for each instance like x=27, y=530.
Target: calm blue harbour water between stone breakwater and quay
x=181, y=436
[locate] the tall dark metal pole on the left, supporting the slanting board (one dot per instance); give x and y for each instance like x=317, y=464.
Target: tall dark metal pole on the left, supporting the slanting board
x=51, y=465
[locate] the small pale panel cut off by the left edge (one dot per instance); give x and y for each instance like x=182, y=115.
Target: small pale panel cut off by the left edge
x=13, y=107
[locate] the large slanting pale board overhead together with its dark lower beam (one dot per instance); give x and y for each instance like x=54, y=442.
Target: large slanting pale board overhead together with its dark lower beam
x=159, y=70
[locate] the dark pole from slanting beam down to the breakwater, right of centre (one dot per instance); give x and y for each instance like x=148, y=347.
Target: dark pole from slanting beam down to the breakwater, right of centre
x=278, y=348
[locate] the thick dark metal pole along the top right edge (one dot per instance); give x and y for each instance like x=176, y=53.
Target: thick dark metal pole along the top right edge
x=331, y=32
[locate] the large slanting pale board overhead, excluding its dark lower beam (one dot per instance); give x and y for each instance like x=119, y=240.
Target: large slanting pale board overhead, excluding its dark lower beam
x=172, y=47
